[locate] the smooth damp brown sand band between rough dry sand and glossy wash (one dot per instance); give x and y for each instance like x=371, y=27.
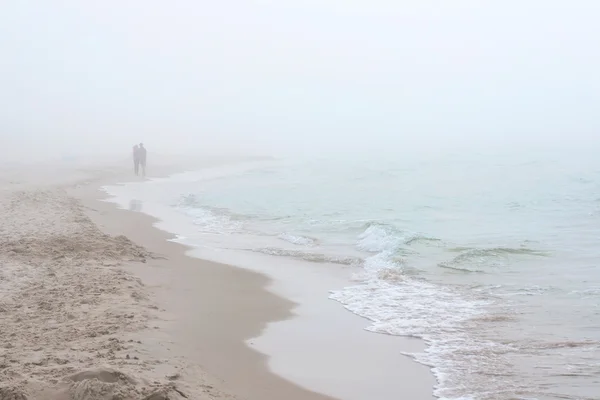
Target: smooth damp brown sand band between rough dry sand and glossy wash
x=219, y=347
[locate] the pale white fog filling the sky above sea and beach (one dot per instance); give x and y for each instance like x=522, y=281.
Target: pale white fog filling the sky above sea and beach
x=278, y=77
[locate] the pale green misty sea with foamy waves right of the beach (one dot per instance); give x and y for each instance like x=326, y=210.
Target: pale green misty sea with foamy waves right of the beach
x=492, y=259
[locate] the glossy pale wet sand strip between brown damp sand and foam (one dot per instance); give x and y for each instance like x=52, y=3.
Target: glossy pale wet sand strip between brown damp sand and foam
x=379, y=357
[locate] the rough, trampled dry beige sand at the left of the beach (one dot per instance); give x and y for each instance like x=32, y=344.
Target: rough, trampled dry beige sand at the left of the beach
x=70, y=315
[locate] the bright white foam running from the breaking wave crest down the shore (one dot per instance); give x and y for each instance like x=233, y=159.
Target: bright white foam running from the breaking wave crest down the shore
x=400, y=304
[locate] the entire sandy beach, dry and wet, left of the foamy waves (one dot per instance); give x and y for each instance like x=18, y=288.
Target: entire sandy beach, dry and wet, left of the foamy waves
x=96, y=303
